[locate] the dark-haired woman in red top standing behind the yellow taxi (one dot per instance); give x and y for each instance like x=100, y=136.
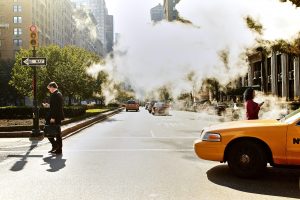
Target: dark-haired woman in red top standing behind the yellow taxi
x=252, y=108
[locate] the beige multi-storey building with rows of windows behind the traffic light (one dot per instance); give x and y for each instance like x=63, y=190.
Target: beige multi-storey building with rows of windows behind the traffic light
x=53, y=19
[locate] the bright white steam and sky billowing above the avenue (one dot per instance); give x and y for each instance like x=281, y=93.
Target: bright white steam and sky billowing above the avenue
x=152, y=55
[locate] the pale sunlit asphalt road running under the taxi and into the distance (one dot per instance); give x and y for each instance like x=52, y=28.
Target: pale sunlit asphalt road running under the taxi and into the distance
x=134, y=156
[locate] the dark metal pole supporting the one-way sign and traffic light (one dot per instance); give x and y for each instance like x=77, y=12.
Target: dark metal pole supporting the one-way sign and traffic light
x=36, y=127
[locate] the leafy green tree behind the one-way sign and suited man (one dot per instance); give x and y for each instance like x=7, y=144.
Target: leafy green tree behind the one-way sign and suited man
x=67, y=66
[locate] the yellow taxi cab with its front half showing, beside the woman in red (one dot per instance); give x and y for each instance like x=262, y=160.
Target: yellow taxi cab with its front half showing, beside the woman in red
x=248, y=146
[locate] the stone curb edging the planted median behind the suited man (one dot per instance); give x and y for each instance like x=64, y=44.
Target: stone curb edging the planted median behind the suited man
x=67, y=129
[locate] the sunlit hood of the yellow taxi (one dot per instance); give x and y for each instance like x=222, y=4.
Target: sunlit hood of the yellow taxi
x=243, y=124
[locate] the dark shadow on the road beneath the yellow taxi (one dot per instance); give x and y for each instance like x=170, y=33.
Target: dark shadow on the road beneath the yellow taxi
x=276, y=182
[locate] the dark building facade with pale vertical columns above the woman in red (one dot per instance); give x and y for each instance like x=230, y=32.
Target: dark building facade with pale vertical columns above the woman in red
x=277, y=74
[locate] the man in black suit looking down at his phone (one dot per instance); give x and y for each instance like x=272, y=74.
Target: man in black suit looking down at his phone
x=55, y=116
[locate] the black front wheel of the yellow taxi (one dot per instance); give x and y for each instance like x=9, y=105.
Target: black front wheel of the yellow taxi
x=247, y=159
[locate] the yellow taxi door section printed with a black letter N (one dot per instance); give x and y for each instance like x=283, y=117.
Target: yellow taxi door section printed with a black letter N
x=293, y=144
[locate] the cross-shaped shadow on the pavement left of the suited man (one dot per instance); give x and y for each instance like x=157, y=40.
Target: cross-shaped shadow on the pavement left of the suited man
x=19, y=165
